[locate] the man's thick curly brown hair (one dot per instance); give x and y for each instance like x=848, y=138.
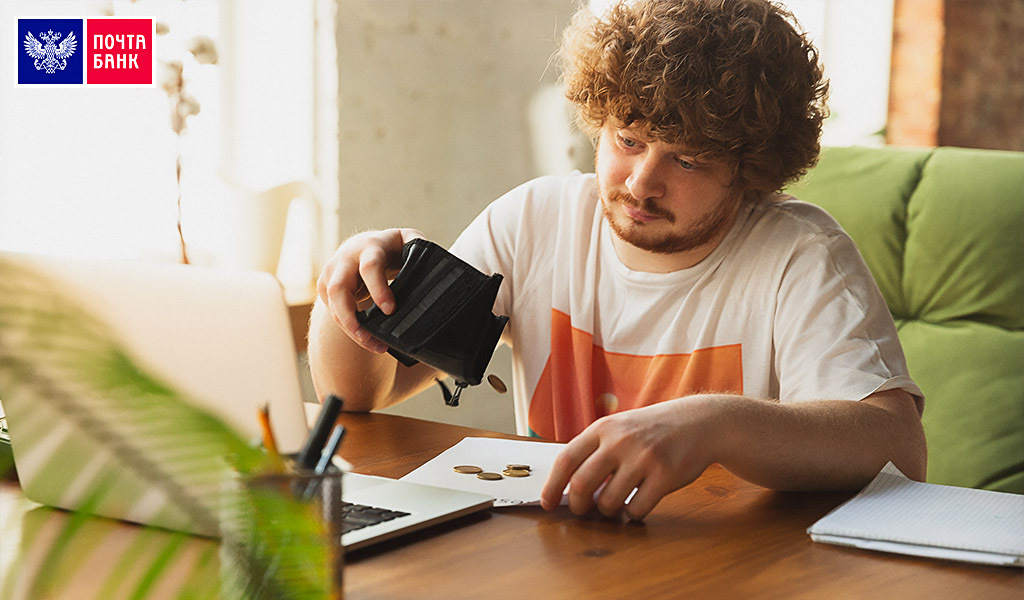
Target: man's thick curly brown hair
x=731, y=79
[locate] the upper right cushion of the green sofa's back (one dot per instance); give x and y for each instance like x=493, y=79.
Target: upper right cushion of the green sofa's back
x=965, y=249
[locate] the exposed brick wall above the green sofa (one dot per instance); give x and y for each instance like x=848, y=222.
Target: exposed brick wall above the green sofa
x=958, y=74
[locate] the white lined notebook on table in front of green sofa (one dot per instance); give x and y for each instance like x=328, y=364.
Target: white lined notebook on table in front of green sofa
x=895, y=515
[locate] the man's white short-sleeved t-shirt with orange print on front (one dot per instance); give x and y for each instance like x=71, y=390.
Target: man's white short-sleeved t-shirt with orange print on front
x=784, y=309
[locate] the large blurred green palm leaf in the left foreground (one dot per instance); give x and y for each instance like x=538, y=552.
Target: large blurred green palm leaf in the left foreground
x=97, y=420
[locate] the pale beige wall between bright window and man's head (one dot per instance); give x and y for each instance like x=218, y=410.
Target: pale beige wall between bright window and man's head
x=435, y=124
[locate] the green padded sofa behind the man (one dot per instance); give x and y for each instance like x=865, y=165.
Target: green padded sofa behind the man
x=943, y=231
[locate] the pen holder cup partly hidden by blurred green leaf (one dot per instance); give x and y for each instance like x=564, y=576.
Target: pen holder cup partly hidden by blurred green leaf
x=290, y=528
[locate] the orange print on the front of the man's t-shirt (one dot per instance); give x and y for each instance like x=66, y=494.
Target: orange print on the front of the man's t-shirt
x=583, y=382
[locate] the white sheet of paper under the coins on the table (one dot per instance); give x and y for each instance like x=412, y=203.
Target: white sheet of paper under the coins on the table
x=492, y=455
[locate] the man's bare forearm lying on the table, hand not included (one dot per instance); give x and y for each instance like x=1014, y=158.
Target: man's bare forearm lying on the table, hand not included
x=822, y=445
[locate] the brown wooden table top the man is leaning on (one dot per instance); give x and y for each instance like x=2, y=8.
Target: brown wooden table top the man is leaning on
x=718, y=538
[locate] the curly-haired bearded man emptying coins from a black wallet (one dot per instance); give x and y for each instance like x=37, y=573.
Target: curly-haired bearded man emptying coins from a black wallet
x=672, y=311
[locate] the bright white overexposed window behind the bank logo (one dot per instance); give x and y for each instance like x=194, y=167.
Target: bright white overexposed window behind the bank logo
x=92, y=172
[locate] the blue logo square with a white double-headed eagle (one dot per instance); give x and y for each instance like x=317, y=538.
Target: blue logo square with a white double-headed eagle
x=51, y=51
